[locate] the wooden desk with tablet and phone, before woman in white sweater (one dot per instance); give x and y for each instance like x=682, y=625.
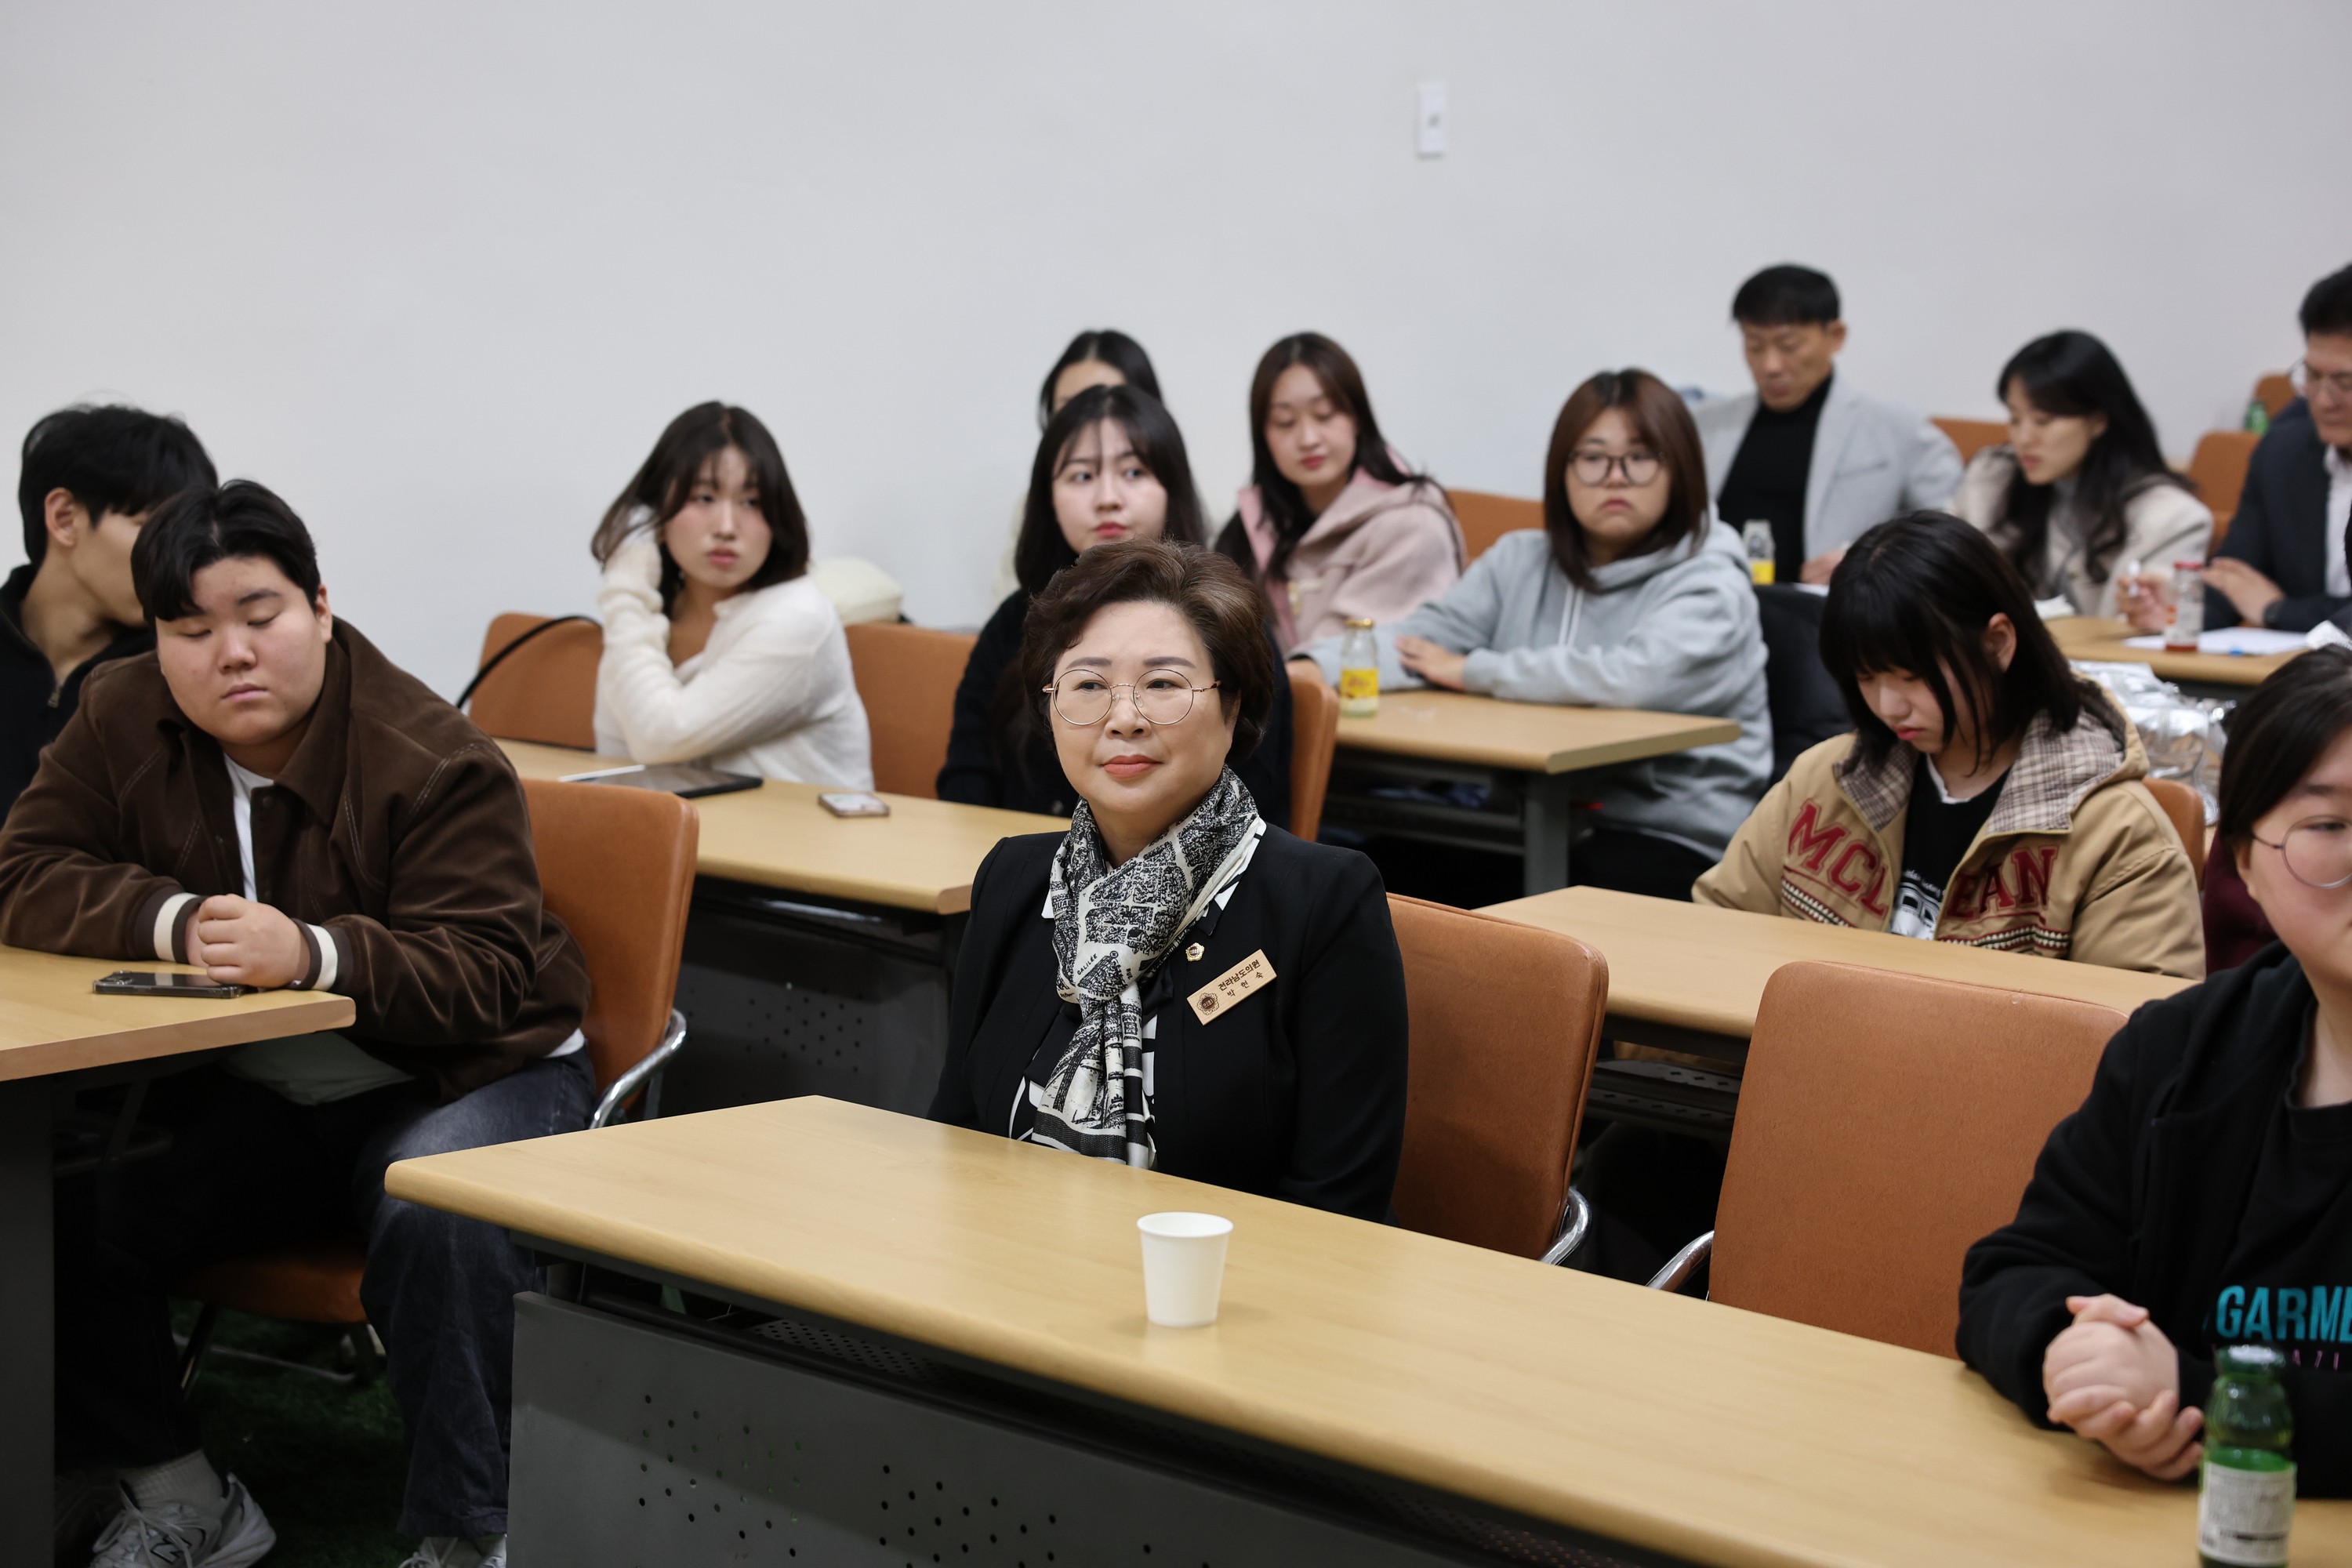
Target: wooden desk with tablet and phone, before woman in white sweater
x=820, y=949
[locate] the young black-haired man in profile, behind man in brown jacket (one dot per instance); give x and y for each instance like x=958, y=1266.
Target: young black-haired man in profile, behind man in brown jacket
x=86, y=485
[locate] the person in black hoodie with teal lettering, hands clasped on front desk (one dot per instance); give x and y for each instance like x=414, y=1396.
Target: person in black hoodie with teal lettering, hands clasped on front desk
x=2203, y=1195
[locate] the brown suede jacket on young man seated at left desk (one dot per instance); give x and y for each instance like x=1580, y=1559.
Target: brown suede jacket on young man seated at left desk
x=396, y=836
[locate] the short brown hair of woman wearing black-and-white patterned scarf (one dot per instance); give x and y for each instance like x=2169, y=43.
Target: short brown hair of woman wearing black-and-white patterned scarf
x=1205, y=589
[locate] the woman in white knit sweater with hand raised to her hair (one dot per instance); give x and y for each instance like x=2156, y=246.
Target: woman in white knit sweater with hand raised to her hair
x=719, y=648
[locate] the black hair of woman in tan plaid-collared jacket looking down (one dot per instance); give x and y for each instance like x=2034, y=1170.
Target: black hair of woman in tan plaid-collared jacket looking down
x=1916, y=596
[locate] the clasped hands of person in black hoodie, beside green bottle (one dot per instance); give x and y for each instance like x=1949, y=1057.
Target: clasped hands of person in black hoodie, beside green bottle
x=2116, y=1379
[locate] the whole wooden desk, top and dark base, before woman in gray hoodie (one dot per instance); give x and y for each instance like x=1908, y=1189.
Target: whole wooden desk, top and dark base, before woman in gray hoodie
x=1523, y=753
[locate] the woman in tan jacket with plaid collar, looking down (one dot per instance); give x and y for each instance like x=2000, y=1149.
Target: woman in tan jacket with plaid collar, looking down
x=1986, y=798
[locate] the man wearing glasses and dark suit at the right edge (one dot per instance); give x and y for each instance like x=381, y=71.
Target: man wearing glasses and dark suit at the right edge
x=2287, y=563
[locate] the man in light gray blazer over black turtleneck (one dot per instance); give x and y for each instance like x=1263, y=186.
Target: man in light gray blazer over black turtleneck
x=1808, y=453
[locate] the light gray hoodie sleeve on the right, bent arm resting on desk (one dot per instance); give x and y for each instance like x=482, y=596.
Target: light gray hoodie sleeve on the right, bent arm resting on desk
x=1685, y=652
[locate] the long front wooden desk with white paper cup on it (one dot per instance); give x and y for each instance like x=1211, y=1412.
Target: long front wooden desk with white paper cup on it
x=1561, y=1398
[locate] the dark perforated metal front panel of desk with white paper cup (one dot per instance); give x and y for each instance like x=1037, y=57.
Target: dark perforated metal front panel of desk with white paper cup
x=636, y=1445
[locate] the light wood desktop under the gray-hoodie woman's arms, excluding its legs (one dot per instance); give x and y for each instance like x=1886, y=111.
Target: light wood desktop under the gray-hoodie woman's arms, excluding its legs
x=1525, y=737
